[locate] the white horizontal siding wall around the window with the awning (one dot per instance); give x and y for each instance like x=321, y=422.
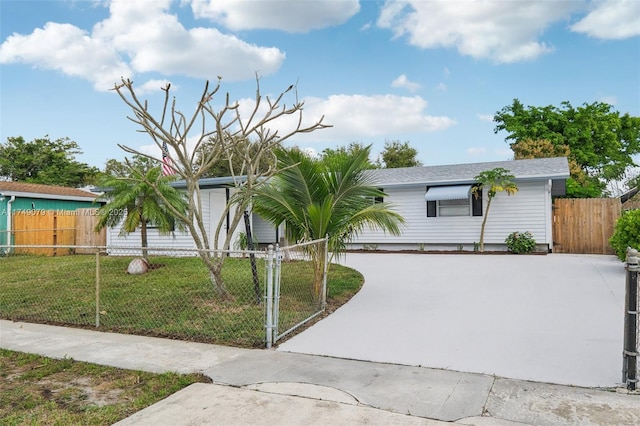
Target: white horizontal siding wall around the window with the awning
x=528, y=210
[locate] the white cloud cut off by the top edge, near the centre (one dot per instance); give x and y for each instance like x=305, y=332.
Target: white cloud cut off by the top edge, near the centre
x=289, y=16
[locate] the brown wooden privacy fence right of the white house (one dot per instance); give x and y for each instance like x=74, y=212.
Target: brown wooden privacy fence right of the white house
x=584, y=225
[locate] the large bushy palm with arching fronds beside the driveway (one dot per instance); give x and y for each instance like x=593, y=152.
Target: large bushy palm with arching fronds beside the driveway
x=333, y=197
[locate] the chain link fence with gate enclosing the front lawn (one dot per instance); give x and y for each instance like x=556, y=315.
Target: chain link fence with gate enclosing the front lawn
x=171, y=294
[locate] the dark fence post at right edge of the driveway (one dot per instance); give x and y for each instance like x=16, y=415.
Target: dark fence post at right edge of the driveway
x=630, y=352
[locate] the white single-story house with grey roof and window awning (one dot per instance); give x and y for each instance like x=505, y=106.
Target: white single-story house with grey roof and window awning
x=440, y=211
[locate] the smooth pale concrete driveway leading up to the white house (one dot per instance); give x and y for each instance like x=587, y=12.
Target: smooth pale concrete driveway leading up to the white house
x=556, y=318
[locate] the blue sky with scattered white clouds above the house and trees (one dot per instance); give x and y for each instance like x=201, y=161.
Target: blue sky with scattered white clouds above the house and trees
x=432, y=73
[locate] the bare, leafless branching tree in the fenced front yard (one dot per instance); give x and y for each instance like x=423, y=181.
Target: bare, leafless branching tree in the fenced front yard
x=226, y=135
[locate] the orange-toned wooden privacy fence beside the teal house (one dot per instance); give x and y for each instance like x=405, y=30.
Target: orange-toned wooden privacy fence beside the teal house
x=55, y=228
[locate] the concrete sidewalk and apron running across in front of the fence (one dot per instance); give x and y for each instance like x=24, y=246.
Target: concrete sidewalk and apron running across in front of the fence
x=269, y=387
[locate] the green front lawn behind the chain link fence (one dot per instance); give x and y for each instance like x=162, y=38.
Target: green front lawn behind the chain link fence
x=175, y=299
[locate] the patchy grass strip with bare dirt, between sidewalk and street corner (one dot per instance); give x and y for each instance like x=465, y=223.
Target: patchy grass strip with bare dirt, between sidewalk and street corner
x=44, y=391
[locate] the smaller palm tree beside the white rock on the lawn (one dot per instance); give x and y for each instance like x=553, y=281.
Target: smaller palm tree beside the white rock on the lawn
x=135, y=201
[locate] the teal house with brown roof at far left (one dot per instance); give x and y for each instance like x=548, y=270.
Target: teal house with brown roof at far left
x=36, y=199
